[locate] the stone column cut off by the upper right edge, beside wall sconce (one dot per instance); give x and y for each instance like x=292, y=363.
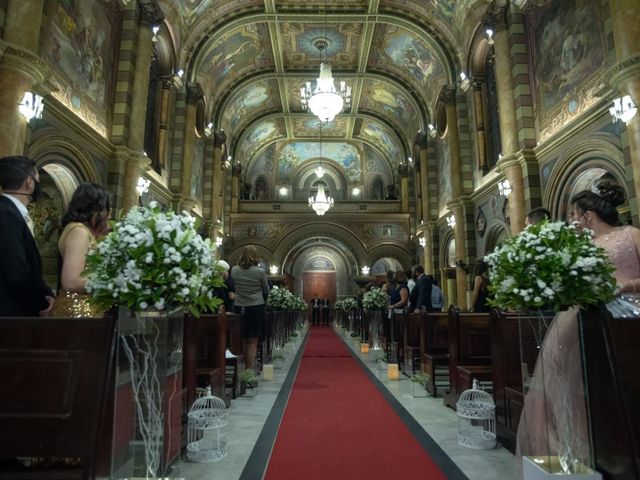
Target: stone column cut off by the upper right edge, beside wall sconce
x=625, y=75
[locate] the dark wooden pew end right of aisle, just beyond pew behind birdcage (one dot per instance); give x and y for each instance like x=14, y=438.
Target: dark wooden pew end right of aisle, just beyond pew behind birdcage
x=434, y=348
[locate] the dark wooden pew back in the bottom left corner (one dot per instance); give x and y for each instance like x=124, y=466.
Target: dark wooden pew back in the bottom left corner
x=53, y=388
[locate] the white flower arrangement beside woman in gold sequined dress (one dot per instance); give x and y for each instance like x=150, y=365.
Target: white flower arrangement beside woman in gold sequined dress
x=153, y=260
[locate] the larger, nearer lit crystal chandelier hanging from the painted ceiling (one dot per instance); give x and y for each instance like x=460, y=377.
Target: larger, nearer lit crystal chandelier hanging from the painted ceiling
x=324, y=101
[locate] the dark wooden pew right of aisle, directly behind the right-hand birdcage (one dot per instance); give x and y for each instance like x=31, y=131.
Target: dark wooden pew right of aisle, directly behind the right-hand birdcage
x=469, y=352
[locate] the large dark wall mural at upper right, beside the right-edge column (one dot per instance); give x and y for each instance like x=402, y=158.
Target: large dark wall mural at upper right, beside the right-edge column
x=569, y=48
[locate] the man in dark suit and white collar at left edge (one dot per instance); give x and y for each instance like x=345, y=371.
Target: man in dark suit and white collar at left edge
x=23, y=291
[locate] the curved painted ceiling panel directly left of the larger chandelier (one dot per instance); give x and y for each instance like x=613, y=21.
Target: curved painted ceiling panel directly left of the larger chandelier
x=248, y=102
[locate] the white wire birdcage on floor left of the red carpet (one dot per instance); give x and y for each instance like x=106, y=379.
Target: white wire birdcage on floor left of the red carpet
x=205, y=440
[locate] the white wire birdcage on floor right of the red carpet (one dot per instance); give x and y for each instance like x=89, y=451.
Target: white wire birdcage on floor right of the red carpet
x=476, y=412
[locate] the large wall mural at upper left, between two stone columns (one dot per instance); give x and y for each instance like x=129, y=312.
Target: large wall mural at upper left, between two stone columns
x=80, y=43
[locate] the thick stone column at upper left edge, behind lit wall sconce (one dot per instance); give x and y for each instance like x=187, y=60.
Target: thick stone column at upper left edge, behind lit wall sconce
x=21, y=70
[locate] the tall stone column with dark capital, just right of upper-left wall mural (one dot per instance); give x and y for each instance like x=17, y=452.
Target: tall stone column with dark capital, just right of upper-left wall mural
x=149, y=14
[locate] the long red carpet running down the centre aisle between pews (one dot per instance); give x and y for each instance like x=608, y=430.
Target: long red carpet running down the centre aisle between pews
x=337, y=425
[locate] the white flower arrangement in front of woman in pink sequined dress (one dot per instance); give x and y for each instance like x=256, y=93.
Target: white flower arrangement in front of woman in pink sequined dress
x=550, y=265
